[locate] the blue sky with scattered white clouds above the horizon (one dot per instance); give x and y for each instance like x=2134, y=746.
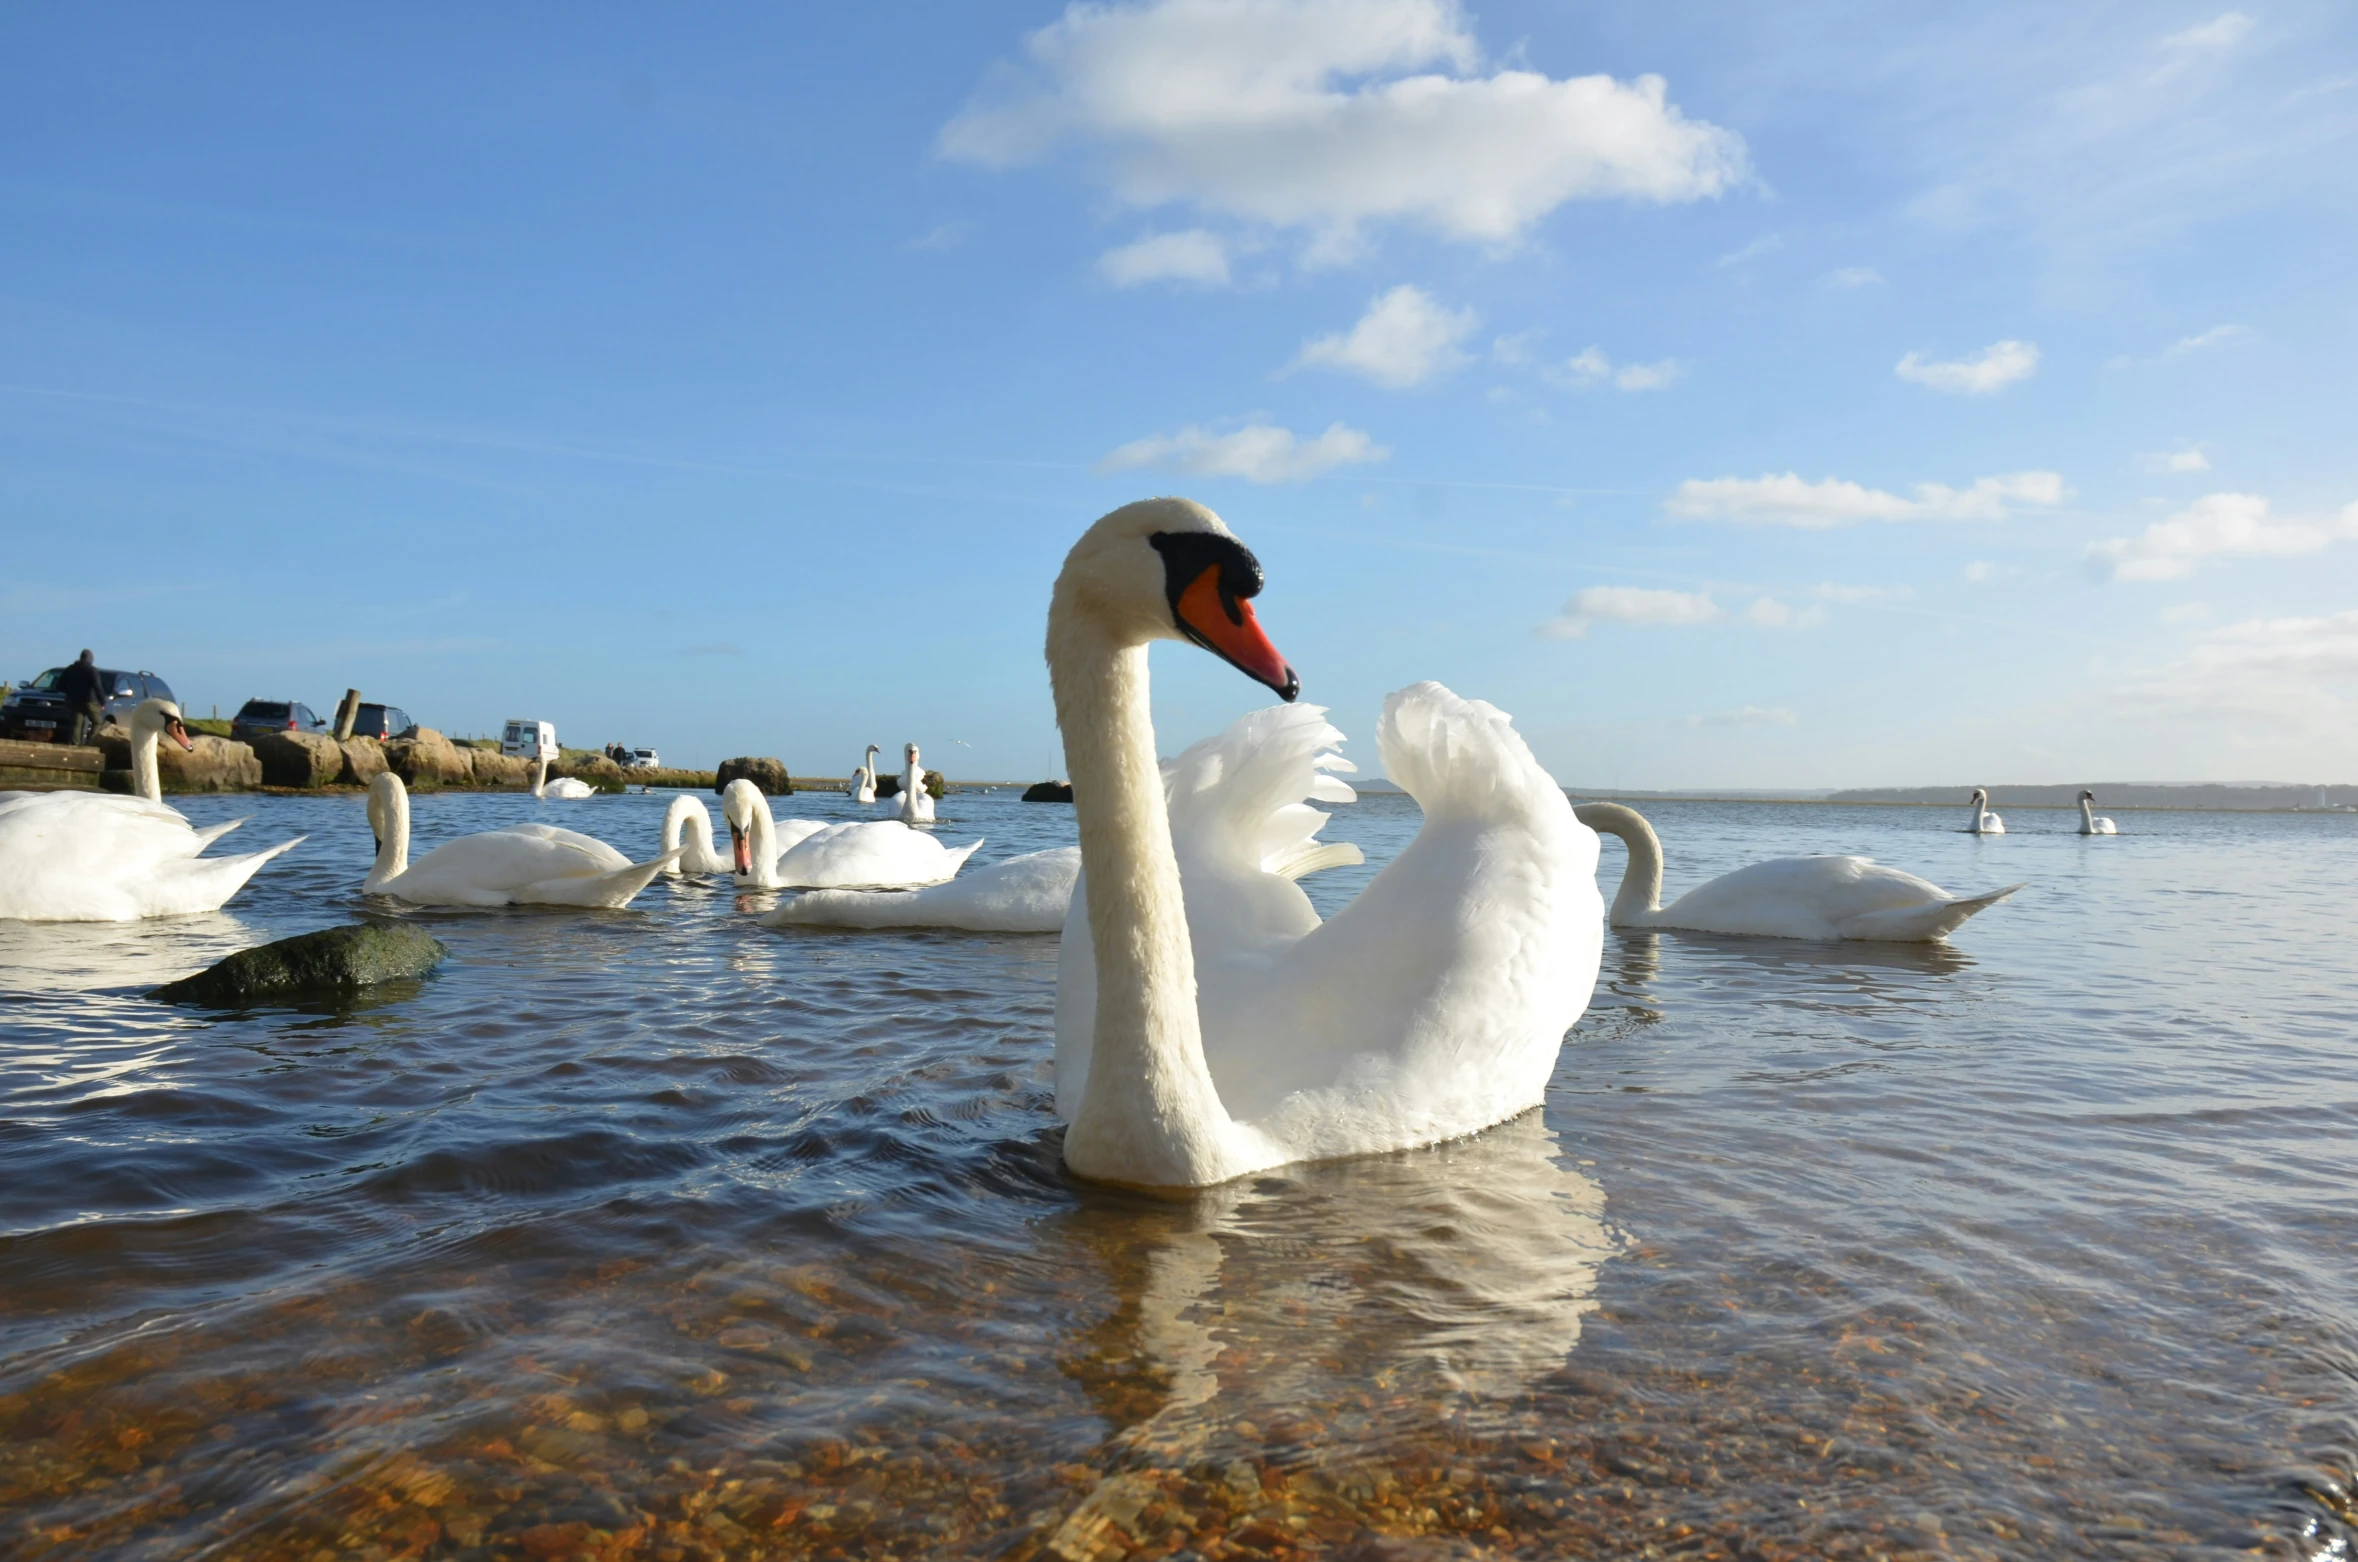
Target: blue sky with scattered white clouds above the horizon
x=1826, y=395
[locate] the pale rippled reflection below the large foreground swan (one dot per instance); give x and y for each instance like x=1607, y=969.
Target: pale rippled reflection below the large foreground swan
x=1456, y=1273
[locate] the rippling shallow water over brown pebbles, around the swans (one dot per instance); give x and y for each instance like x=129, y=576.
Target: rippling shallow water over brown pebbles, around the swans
x=666, y=1235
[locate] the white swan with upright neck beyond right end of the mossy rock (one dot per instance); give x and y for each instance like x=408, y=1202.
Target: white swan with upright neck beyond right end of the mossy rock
x=527, y=865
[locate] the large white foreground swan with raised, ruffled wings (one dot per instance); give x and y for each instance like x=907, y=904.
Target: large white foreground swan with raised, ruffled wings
x=1216, y=1028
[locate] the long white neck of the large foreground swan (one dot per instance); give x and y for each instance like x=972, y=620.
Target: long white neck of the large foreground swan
x=1150, y=1113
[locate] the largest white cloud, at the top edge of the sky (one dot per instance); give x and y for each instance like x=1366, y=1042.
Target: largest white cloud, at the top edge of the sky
x=1333, y=114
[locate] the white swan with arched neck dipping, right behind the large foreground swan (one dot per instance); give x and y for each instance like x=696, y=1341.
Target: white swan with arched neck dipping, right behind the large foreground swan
x=1793, y=898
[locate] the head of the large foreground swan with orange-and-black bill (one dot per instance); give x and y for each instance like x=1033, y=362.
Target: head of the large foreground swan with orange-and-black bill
x=1171, y=570
